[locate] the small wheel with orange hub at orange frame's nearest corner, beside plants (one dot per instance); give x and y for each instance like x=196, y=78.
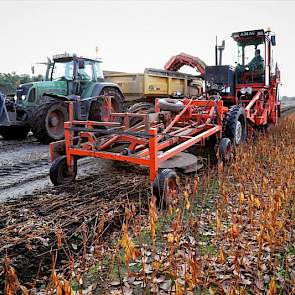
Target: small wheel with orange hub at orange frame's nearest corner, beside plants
x=165, y=187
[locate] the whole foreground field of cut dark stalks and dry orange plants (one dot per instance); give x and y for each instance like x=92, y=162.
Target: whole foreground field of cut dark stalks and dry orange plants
x=213, y=238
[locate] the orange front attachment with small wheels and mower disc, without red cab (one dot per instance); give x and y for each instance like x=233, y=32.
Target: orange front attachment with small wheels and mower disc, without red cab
x=151, y=140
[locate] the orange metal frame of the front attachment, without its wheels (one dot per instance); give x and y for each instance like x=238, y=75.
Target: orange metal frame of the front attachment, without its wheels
x=147, y=145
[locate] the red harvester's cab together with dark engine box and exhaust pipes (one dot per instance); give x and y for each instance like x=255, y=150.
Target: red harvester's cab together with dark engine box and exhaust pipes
x=253, y=71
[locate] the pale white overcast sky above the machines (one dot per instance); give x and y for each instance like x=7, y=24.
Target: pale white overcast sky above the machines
x=132, y=35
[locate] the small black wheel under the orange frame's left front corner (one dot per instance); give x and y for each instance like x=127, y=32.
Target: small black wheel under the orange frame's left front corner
x=59, y=171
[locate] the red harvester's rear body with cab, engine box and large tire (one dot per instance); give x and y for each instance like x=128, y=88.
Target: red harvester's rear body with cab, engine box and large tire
x=250, y=89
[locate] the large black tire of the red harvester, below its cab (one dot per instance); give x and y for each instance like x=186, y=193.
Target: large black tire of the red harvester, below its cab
x=236, y=125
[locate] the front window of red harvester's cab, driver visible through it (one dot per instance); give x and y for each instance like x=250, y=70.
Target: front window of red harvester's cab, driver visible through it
x=251, y=63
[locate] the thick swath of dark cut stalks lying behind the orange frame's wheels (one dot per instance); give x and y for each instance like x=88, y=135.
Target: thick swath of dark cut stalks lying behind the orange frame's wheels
x=30, y=227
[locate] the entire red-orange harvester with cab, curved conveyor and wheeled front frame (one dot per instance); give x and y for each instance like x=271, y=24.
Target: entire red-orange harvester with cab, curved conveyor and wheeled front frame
x=237, y=101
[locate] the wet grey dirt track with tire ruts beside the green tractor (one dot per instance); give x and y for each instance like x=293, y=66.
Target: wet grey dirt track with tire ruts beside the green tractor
x=24, y=167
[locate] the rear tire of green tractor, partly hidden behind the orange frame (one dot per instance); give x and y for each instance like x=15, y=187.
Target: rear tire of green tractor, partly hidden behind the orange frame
x=98, y=112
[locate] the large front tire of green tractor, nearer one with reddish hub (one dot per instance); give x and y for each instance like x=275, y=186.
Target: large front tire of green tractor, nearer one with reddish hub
x=47, y=120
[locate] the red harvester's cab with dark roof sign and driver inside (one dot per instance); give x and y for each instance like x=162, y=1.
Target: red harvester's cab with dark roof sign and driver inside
x=254, y=63
